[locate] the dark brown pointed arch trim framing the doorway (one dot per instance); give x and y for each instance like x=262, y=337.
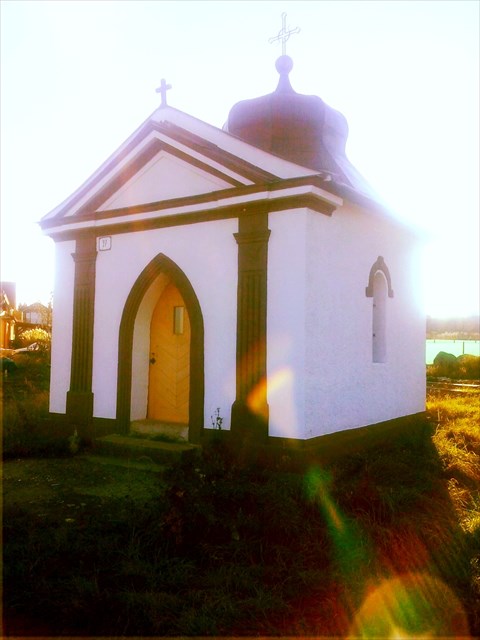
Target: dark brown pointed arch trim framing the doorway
x=162, y=264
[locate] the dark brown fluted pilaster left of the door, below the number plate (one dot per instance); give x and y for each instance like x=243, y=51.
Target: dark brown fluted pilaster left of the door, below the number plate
x=80, y=396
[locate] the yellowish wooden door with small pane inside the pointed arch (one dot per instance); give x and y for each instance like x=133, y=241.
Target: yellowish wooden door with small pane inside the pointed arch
x=169, y=375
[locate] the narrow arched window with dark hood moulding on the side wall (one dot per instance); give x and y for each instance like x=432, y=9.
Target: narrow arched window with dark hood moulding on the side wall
x=379, y=288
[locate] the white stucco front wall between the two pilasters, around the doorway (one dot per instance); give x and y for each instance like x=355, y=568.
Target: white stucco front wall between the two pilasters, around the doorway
x=207, y=254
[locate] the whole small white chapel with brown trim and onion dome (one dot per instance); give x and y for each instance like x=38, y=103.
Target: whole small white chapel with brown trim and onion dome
x=245, y=275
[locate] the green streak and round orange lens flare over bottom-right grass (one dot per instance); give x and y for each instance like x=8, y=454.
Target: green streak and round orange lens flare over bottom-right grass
x=403, y=597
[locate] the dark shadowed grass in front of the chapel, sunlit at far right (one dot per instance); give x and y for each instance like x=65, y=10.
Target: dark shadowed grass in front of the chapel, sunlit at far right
x=381, y=540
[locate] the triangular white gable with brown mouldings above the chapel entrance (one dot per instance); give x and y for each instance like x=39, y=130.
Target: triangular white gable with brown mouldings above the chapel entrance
x=148, y=159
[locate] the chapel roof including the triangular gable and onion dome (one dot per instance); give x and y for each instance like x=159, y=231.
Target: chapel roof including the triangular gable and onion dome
x=279, y=142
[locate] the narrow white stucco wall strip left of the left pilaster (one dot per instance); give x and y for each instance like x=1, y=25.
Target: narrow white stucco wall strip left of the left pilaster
x=62, y=325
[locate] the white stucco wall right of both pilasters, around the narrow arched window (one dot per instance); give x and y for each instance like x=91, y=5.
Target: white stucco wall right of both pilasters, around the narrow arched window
x=321, y=377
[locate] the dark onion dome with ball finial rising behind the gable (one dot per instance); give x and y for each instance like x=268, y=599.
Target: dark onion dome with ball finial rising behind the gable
x=296, y=127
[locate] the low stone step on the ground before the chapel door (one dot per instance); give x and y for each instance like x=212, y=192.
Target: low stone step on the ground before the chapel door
x=144, y=450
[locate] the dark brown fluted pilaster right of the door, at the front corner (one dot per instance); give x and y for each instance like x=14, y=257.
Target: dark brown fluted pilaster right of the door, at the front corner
x=249, y=421
